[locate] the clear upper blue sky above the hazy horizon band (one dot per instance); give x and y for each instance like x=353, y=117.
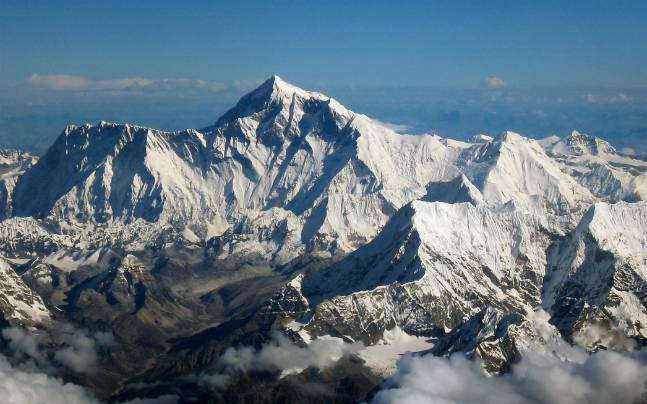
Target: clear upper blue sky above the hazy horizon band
x=455, y=44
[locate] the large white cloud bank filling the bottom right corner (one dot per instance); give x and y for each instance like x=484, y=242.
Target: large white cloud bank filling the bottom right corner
x=602, y=377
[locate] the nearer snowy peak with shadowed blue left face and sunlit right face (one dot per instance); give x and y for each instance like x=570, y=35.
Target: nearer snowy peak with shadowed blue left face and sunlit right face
x=432, y=266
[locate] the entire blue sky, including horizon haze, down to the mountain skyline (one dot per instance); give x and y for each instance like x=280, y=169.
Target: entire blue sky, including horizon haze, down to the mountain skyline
x=76, y=60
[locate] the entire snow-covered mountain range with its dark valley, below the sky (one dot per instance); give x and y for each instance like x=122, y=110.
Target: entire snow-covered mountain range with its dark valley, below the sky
x=293, y=217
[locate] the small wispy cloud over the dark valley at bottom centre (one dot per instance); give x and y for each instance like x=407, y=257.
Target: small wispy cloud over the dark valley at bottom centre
x=279, y=355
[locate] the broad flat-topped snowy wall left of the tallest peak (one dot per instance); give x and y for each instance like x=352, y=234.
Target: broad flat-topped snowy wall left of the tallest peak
x=117, y=172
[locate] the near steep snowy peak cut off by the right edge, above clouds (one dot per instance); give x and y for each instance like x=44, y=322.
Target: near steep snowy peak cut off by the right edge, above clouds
x=598, y=274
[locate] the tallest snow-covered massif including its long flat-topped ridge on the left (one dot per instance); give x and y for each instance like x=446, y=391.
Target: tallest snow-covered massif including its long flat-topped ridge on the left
x=279, y=147
